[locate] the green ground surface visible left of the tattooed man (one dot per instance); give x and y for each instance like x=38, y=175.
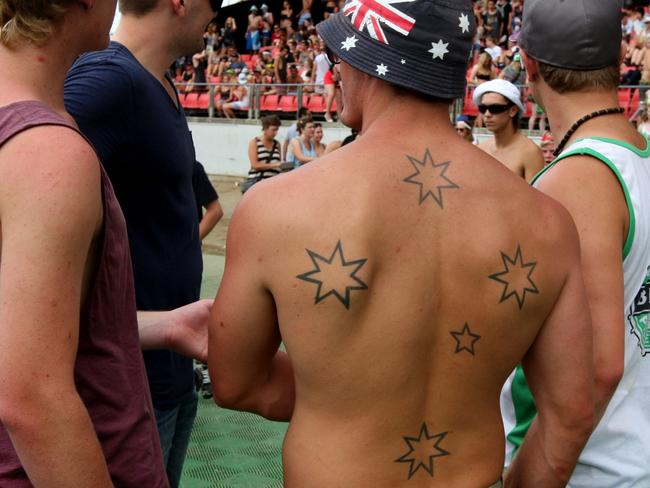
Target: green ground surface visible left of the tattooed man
x=227, y=448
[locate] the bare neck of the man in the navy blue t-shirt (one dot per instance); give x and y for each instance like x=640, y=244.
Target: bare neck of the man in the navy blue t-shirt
x=147, y=41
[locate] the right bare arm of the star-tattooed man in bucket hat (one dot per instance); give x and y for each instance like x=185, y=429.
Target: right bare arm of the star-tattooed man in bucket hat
x=559, y=370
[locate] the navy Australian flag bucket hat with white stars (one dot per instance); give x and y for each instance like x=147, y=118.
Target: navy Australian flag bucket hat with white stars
x=422, y=45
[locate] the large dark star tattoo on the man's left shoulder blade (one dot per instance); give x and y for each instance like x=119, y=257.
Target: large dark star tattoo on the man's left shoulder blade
x=334, y=276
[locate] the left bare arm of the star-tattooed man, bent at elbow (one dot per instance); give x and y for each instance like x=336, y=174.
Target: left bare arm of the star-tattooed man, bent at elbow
x=247, y=370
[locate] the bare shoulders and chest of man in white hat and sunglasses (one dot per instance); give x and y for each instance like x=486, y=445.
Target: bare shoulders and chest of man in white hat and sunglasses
x=521, y=156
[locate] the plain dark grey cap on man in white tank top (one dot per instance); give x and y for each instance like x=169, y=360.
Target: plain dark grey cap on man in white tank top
x=572, y=34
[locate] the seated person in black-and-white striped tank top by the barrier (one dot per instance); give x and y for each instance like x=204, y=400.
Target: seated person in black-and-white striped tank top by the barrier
x=264, y=153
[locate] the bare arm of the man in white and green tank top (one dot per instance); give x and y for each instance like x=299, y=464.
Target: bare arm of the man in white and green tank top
x=599, y=211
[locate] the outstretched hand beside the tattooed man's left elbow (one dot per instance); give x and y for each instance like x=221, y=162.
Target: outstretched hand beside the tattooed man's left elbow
x=188, y=330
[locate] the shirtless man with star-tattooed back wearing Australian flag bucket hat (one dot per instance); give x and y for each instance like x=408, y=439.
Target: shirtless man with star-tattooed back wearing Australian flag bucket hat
x=401, y=326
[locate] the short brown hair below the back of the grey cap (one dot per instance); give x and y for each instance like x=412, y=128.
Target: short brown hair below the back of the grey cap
x=563, y=80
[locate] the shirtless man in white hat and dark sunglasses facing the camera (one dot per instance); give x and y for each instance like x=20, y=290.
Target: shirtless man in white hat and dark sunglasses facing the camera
x=500, y=103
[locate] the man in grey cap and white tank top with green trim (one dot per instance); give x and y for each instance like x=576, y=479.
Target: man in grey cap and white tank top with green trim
x=602, y=177
